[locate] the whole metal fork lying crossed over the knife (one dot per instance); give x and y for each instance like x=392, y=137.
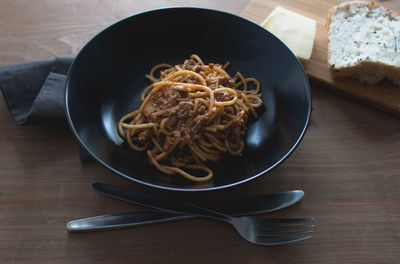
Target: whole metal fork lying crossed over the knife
x=254, y=229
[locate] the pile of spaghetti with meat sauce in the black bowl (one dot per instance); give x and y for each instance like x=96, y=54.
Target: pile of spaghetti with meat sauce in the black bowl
x=191, y=113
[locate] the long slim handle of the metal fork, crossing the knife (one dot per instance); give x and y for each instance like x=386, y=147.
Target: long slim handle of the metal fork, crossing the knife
x=157, y=201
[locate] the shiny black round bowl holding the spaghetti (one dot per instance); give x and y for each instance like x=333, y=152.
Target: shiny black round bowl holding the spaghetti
x=107, y=77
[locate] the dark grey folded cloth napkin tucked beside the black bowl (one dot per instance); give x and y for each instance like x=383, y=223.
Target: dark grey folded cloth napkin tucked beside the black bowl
x=34, y=93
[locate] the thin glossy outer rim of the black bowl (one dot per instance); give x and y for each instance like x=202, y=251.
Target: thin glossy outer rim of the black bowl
x=178, y=189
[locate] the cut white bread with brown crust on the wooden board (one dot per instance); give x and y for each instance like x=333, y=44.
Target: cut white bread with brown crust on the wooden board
x=364, y=42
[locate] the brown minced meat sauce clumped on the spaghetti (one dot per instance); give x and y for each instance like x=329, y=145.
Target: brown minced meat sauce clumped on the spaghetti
x=179, y=108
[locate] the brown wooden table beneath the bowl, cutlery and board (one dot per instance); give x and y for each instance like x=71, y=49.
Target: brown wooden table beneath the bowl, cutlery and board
x=348, y=165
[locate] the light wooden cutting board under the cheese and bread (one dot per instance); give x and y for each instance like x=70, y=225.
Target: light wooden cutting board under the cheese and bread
x=383, y=96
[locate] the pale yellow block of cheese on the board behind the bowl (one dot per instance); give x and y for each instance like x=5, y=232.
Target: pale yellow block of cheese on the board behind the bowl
x=295, y=30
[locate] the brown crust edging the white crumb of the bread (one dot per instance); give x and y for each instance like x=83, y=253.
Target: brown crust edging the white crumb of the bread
x=367, y=72
